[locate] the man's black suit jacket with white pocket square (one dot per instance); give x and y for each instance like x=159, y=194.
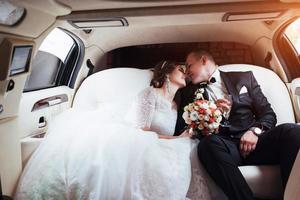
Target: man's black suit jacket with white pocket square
x=250, y=109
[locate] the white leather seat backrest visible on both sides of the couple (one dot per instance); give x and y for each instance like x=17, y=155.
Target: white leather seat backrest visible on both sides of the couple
x=119, y=86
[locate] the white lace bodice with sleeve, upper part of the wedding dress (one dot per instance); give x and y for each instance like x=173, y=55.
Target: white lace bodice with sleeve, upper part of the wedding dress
x=153, y=111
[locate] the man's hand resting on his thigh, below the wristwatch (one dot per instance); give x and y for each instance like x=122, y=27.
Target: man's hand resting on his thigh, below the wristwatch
x=248, y=143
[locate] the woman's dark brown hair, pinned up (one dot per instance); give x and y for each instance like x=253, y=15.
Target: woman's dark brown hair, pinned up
x=160, y=72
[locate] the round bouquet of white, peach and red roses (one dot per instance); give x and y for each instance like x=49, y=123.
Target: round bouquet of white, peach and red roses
x=202, y=115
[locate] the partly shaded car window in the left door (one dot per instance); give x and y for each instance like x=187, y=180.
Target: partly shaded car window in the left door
x=50, y=60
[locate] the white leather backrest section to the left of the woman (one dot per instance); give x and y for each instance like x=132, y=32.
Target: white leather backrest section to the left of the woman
x=117, y=86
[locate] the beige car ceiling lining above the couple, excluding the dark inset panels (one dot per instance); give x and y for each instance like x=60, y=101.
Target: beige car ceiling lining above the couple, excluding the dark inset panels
x=153, y=21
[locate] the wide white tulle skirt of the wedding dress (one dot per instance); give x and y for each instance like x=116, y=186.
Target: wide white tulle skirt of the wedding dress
x=87, y=156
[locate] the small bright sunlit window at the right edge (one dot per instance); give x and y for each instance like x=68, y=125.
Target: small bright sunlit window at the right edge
x=293, y=34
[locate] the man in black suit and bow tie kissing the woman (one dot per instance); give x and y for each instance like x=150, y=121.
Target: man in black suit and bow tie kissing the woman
x=252, y=137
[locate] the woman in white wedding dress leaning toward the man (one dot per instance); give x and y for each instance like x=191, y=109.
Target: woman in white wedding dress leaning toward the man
x=86, y=156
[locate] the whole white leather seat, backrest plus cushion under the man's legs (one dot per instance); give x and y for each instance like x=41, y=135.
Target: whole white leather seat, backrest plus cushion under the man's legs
x=119, y=86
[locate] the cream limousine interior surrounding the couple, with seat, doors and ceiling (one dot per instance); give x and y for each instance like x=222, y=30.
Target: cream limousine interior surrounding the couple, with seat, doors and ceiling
x=57, y=55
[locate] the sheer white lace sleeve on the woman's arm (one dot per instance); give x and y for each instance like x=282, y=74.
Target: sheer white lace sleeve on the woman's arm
x=142, y=109
